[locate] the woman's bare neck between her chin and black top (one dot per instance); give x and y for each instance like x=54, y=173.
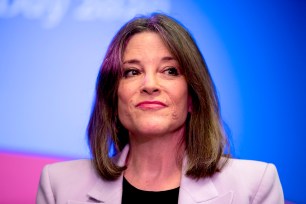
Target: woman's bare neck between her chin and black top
x=155, y=163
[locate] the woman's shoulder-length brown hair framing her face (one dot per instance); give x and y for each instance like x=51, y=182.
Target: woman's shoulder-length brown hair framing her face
x=205, y=139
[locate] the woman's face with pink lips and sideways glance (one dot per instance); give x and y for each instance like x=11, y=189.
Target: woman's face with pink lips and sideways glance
x=152, y=95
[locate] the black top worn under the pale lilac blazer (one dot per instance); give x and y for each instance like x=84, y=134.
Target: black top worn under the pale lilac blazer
x=132, y=195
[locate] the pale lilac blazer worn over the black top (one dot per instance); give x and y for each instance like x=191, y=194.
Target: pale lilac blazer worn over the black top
x=239, y=182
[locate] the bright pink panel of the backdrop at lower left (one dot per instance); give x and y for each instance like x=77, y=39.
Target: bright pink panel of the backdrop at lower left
x=19, y=176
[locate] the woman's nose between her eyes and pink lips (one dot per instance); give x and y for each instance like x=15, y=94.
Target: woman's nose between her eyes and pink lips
x=150, y=84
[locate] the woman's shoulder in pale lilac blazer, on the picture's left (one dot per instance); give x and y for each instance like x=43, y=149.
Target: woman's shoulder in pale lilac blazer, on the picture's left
x=70, y=179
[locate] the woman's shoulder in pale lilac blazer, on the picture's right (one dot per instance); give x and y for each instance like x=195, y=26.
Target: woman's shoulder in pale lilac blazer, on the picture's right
x=259, y=180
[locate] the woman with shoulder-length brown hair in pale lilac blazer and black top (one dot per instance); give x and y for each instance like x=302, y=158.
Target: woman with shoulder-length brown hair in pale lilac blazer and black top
x=157, y=108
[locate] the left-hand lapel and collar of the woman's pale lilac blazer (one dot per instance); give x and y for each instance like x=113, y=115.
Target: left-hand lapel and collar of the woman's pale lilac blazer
x=110, y=192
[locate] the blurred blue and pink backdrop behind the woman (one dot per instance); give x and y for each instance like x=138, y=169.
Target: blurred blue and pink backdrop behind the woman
x=51, y=50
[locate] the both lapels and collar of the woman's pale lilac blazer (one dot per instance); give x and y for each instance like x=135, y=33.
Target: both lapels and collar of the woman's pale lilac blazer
x=191, y=191
